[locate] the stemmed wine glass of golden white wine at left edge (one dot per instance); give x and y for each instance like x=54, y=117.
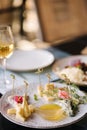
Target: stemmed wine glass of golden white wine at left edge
x=6, y=48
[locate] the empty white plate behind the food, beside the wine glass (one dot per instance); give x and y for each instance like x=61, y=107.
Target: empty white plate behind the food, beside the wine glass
x=29, y=60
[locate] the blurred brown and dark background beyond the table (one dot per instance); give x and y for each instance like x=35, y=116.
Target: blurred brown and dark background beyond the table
x=58, y=23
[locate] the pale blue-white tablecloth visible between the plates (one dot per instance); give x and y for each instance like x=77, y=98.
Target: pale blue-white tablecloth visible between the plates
x=32, y=76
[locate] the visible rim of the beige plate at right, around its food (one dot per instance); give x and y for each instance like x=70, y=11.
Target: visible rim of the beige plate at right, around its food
x=60, y=64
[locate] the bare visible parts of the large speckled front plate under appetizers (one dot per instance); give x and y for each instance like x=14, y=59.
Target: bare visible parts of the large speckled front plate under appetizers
x=36, y=121
